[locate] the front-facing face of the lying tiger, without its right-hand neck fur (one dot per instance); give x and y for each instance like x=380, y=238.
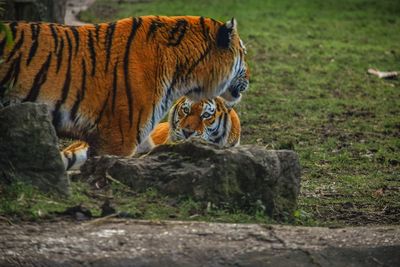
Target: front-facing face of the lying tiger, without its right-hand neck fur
x=197, y=120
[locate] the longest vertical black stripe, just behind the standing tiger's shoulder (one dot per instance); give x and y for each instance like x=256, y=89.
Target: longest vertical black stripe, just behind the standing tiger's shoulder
x=136, y=23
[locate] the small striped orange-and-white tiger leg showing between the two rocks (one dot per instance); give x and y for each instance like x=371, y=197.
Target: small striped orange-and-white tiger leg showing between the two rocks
x=75, y=155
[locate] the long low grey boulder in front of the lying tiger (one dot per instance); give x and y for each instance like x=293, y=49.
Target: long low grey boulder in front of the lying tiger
x=246, y=177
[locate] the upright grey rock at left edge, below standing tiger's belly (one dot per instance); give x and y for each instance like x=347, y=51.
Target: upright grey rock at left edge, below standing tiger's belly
x=28, y=148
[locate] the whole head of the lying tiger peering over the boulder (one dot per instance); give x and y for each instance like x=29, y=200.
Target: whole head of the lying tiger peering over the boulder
x=208, y=120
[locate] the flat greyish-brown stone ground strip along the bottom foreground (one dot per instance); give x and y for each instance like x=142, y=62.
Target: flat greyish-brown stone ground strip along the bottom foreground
x=117, y=242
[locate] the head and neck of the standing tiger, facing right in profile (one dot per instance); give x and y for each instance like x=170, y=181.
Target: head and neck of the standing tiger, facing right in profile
x=213, y=61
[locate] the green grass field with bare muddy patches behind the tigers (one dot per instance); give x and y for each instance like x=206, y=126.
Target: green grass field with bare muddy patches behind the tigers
x=310, y=92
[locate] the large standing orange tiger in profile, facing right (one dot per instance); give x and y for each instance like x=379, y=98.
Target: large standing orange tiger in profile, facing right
x=109, y=84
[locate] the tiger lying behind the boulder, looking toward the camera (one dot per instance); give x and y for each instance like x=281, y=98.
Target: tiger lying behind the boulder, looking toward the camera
x=210, y=120
